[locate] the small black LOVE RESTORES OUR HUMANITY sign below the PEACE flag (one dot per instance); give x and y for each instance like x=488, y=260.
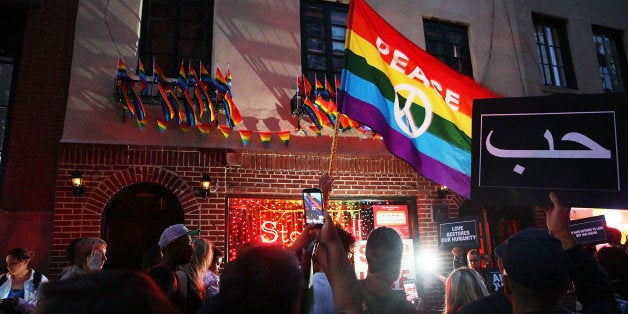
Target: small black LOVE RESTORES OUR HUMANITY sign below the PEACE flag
x=458, y=232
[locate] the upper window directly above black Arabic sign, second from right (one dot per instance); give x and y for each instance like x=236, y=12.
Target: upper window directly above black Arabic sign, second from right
x=553, y=52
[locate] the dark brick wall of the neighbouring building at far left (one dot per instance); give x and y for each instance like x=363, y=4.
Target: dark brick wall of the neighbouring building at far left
x=39, y=107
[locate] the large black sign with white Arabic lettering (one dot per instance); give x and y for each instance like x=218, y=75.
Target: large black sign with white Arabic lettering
x=573, y=145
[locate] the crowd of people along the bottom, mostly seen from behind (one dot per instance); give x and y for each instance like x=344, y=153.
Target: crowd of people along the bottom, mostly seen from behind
x=184, y=274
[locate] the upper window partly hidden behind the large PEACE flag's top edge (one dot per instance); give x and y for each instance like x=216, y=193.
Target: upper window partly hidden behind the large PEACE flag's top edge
x=449, y=43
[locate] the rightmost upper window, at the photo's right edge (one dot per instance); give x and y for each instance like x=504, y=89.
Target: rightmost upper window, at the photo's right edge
x=610, y=57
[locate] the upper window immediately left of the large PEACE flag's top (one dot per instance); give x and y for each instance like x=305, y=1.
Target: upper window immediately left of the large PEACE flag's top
x=323, y=31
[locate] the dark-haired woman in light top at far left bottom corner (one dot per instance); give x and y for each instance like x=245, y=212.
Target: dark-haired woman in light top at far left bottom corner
x=18, y=287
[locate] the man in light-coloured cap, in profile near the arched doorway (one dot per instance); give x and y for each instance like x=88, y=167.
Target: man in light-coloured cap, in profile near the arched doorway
x=175, y=243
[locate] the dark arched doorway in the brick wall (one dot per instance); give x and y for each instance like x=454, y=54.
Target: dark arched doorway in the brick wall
x=133, y=221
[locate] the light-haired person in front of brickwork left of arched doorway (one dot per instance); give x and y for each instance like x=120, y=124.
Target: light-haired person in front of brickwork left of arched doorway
x=89, y=256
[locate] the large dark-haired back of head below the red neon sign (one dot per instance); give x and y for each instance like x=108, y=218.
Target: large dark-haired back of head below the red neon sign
x=262, y=279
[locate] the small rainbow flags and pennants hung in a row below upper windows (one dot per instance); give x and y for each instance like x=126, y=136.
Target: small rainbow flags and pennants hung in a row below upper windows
x=187, y=101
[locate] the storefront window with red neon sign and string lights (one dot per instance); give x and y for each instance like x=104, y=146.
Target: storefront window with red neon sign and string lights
x=280, y=221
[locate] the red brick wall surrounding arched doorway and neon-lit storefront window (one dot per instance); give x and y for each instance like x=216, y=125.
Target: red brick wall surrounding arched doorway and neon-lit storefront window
x=109, y=168
